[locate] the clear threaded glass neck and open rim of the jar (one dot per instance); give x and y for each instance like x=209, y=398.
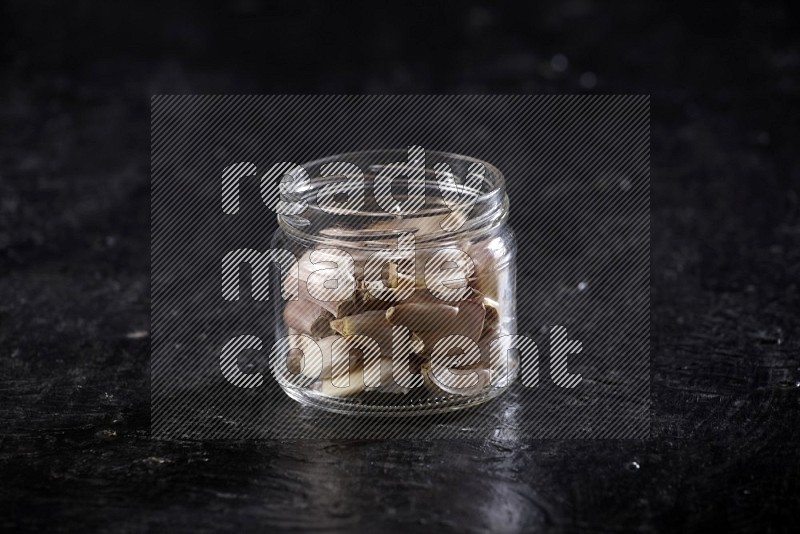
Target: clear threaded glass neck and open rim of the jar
x=442, y=199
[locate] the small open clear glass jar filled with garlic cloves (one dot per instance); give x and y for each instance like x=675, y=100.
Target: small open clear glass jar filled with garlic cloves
x=404, y=283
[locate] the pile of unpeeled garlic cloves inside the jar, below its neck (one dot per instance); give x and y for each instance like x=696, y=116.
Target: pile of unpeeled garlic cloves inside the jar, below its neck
x=366, y=342
